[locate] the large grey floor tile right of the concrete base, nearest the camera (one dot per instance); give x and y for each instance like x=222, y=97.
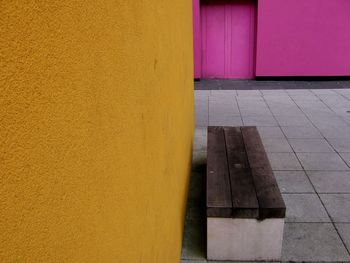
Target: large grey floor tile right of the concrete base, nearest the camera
x=312, y=242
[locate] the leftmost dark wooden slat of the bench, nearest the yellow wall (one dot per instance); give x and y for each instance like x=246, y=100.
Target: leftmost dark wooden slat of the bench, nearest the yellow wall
x=219, y=202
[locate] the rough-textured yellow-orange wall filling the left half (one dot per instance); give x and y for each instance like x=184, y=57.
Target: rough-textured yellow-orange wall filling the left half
x=96, y=122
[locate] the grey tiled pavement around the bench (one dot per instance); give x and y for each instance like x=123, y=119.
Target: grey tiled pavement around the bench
x=306, y=133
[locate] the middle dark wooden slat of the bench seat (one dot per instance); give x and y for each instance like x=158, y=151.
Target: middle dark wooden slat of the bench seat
x=244, y=200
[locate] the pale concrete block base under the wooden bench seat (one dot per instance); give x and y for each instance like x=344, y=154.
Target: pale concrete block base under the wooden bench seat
x=244, y=239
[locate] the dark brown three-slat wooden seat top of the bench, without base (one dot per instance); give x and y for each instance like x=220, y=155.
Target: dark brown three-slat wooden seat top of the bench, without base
x=240, y=181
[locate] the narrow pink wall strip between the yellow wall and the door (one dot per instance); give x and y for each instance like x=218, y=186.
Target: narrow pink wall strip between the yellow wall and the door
x=197, y=40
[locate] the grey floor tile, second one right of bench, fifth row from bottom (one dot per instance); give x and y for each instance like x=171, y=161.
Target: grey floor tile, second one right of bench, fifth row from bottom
x=310, y=145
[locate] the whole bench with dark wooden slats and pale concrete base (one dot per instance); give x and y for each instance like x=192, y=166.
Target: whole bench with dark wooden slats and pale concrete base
x=245, y=209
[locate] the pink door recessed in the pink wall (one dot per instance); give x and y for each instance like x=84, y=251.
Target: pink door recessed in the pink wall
x=228, y=39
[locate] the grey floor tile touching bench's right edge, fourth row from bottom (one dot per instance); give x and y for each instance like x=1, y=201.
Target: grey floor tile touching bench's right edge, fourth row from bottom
x=284, y=161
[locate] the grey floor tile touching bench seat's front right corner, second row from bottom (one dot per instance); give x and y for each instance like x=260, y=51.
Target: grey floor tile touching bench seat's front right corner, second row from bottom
x=305, y=208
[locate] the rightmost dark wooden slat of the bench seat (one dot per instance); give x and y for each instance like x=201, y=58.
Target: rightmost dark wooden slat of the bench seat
x=270, y=200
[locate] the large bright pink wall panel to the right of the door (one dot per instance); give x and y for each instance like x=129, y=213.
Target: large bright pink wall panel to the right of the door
x=303, y=38
